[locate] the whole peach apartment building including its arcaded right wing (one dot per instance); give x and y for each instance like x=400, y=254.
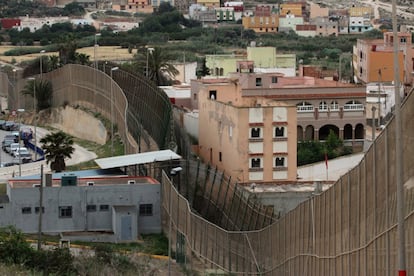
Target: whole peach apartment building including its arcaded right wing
x=249, y=123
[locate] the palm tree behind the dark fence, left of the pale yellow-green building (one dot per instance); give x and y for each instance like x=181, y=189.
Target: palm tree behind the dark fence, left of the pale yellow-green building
x=160, y=70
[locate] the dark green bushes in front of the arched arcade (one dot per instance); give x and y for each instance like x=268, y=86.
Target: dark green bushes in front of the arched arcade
x=314, y=151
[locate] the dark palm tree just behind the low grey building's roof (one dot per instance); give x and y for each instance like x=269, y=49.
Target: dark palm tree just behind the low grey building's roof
x=57, y=146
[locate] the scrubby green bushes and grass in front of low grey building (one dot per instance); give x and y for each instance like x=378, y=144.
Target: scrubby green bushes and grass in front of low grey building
x=17, y=256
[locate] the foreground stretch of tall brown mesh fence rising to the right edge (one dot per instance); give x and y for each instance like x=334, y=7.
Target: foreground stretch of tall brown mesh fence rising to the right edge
x=350, y=229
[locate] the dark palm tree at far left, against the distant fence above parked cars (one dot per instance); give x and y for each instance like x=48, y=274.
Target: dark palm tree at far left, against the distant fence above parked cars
x=43, y=90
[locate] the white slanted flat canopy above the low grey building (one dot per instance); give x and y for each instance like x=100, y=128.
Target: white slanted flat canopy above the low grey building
x=136, y=159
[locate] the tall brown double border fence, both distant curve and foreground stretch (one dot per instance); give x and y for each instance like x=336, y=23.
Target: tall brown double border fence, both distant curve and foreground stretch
x=350, y=229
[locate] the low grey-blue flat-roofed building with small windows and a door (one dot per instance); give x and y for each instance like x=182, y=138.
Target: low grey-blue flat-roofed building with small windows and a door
x=121, y=206
